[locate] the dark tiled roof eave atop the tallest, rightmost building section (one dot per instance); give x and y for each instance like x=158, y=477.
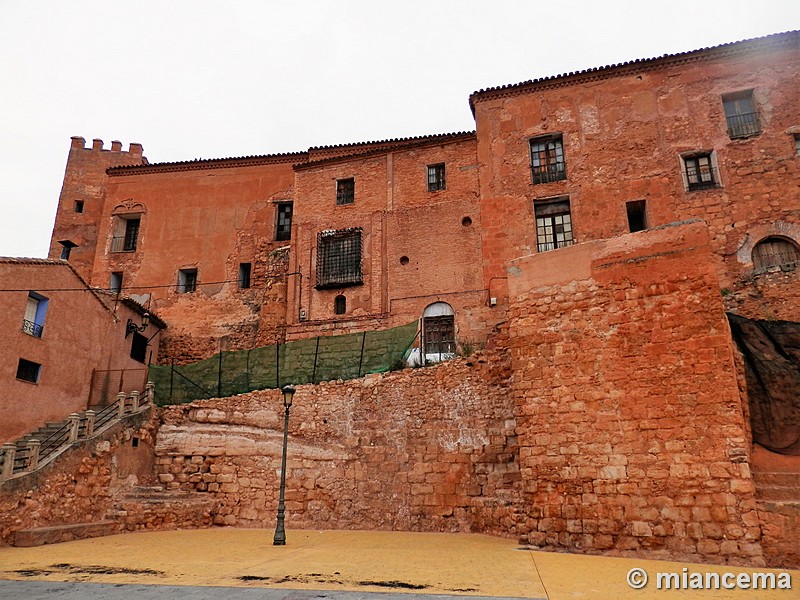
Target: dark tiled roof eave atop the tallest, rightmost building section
x=776, y=41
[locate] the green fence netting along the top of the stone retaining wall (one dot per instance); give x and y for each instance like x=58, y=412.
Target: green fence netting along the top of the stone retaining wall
x=304, y=361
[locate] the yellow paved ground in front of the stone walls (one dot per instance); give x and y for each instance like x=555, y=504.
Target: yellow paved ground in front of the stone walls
x=336, y=561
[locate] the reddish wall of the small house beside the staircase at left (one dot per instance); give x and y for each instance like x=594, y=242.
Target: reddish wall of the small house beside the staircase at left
x=80, y=335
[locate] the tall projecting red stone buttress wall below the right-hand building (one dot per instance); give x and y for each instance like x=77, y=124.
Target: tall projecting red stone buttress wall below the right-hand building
x=631, y=432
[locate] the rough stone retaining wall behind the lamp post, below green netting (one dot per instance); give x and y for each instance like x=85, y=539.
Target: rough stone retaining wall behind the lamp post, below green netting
x=421, y=450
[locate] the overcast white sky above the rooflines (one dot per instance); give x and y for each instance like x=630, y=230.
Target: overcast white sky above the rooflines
x=213, y=79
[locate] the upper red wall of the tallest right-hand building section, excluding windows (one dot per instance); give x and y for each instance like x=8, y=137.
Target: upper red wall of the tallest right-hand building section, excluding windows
x=624, y=132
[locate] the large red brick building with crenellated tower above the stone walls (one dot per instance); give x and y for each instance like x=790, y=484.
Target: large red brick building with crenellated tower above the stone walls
x=241, y=252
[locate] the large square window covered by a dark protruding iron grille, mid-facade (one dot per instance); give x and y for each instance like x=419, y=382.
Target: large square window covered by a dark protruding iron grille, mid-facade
x=339, y=258
